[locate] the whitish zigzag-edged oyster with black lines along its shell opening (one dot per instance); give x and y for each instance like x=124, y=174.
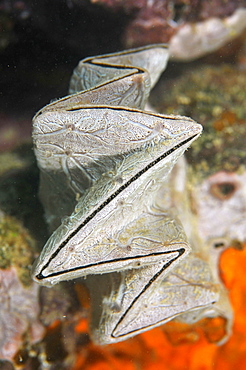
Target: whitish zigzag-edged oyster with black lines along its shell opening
x=103, y=160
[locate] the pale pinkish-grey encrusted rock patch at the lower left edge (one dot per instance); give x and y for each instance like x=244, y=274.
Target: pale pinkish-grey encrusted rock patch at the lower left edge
x=19, y=311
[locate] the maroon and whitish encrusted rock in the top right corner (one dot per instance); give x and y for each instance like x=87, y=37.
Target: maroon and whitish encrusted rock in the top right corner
x=191, y=28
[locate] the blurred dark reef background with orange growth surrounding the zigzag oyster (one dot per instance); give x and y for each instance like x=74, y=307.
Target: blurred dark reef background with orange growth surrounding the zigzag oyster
x=41, y=42
